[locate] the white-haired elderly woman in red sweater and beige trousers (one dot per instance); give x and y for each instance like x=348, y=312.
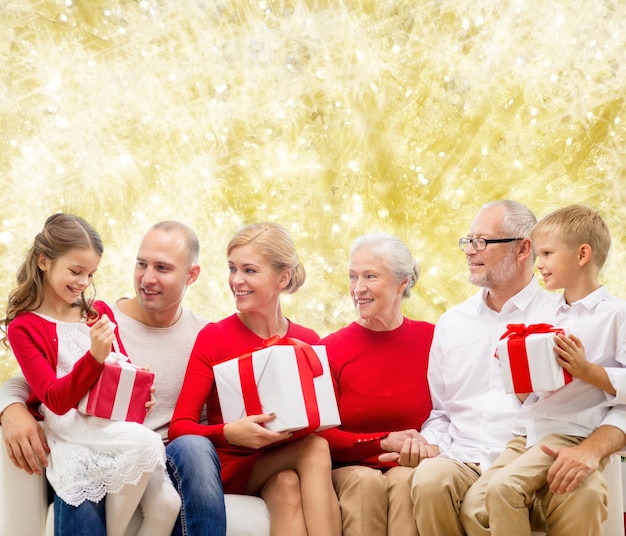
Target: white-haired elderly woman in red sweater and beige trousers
x=379, y=364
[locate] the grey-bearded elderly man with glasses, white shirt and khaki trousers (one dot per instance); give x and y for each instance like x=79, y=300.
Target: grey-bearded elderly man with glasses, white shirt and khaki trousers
x=471, y=420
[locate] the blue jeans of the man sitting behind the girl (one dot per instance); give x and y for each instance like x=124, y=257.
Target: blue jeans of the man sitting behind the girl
x=194, y=468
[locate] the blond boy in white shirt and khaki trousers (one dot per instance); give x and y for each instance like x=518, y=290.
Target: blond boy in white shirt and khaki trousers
x=571, y=245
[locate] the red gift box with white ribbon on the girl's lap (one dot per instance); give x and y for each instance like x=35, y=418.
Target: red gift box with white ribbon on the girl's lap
x=121, y=392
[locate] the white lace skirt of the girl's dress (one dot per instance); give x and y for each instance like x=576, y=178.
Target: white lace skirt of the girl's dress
x=90, y=456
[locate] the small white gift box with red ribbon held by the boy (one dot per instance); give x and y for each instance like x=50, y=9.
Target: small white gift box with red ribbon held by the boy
x=528, y=360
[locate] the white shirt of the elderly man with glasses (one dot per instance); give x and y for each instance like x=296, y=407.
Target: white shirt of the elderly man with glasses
x=472, y=416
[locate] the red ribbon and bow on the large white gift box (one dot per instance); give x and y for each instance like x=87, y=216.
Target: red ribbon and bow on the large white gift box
x=309, y=367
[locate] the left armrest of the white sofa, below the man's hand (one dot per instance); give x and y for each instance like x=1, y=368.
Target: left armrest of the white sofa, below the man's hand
x=23, y=499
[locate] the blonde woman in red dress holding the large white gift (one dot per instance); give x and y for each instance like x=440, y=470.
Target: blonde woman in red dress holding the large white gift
x=294, y=477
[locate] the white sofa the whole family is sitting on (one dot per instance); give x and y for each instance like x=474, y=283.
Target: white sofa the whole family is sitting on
x=24, y=509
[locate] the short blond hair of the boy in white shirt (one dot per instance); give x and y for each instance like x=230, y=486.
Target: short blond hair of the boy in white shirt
x=576, y=225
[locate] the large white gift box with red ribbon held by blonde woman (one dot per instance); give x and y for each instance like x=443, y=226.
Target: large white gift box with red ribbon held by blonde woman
x=288, y=378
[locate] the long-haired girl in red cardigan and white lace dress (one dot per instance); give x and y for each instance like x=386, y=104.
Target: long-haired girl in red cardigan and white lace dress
x=61, y=339
